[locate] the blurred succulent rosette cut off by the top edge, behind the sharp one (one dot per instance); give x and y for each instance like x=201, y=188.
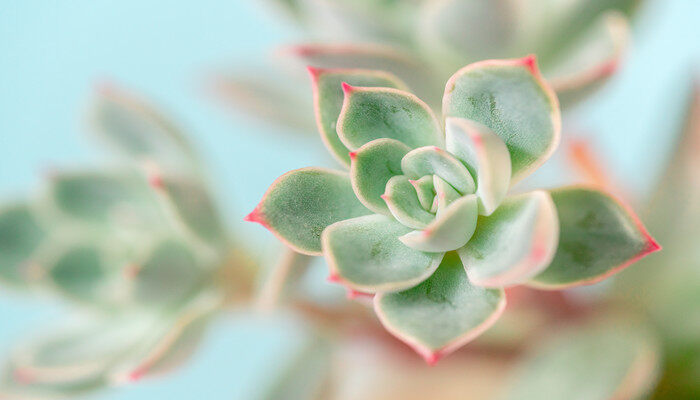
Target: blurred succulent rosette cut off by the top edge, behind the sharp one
x=579, y=44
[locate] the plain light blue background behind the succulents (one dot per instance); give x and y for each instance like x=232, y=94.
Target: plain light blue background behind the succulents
x=52, y=53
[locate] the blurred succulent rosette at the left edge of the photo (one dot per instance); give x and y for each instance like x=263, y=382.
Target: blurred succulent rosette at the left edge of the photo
x=139, y=247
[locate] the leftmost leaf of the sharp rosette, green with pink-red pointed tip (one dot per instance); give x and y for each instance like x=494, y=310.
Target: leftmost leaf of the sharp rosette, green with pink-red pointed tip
x=300, y=204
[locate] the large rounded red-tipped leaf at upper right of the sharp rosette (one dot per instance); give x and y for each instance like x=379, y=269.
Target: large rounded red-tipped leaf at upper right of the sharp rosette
x=511, y=98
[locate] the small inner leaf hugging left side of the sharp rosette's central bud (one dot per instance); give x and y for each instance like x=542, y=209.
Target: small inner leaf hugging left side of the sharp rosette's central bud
x=403, y=202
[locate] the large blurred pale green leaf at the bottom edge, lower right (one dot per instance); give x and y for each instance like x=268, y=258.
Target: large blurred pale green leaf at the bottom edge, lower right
x=609, y=359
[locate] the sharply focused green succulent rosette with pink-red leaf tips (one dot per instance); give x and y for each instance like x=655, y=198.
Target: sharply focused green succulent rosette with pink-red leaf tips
x=425, y=221
